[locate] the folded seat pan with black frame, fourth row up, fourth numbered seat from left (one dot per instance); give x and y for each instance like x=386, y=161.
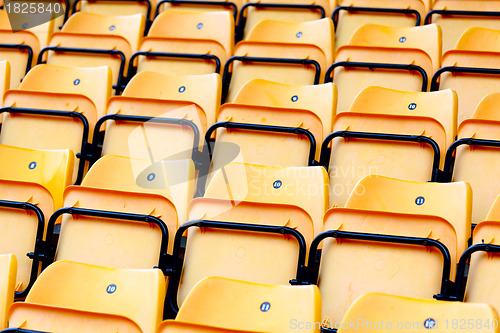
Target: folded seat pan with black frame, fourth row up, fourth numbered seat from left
x=351, y=78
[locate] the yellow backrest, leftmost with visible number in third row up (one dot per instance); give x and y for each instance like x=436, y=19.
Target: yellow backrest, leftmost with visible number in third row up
x=94, y=83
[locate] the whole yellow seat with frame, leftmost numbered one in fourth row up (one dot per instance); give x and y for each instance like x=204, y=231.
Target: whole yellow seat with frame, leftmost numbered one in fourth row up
x=91, y=40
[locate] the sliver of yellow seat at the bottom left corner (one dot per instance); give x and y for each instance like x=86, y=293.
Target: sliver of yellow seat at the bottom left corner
x=8, y=266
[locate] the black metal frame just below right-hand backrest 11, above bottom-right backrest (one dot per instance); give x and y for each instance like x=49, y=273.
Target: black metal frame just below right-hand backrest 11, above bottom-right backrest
x=315, y=256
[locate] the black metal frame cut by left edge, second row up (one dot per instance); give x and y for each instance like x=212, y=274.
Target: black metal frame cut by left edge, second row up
x=36, y=256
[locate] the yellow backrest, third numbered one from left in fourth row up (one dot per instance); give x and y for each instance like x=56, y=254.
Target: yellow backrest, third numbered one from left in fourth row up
x=317, y=32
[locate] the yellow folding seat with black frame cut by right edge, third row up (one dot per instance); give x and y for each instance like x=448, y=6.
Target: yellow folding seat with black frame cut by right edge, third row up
x=472, y=158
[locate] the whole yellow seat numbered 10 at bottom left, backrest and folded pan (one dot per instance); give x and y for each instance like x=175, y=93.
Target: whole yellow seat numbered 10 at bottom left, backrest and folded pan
x=75, y=297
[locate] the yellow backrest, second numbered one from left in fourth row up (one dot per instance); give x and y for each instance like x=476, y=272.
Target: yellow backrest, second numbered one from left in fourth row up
x=217, y=26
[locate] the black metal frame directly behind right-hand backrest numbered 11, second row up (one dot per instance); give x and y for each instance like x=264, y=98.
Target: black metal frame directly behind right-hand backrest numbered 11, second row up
x=325, y=151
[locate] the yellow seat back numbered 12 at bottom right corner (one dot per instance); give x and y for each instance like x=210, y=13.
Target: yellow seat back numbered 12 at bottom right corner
x=373, y=312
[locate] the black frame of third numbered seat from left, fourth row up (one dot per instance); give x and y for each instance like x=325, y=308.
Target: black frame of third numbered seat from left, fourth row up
x=226, y=77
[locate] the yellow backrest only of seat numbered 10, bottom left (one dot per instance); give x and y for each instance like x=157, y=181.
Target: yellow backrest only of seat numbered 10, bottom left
x=133, y=293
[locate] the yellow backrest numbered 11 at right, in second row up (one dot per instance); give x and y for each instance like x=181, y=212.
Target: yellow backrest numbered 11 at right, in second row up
x=450, y=201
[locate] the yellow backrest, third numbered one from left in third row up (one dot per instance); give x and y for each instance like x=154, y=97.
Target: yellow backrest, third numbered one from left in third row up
x=321, y=99
